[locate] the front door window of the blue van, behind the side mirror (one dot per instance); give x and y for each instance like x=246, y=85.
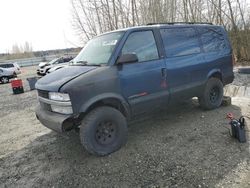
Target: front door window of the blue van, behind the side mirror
x=142, y=44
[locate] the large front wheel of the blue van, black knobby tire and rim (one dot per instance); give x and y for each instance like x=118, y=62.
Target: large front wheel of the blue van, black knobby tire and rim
x=103, y=131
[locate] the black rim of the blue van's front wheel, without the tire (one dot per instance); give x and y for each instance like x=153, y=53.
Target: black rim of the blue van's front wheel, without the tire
x=106, y=132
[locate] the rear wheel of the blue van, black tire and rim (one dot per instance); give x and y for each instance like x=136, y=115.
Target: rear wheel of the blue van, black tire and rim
x=212, y=95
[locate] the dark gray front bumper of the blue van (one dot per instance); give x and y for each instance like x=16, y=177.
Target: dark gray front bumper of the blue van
x=57, y=122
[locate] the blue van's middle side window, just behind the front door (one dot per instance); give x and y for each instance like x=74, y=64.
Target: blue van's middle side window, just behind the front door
x=180, y=41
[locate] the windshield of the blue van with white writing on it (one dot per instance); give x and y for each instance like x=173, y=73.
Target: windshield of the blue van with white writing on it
x=98, y=50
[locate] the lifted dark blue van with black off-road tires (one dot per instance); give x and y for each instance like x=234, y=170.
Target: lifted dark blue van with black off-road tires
x=131, y=71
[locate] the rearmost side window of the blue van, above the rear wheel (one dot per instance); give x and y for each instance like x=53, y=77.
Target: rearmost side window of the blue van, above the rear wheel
x=212, y=39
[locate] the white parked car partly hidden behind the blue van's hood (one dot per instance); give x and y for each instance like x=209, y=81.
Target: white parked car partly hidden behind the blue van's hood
x=43, y=68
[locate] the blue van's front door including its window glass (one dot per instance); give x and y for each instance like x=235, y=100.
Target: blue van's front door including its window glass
x=143, y=84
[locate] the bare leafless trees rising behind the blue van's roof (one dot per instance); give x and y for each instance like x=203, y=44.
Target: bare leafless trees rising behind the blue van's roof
x=92, y=17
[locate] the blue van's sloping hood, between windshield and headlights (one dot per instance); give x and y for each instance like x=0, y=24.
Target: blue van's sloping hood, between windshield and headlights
x=54, y=80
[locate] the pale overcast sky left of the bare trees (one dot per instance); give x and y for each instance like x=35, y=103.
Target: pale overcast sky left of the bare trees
x=46, y=24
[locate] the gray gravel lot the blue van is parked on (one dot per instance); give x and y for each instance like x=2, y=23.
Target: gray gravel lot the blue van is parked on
x=182, y=147
